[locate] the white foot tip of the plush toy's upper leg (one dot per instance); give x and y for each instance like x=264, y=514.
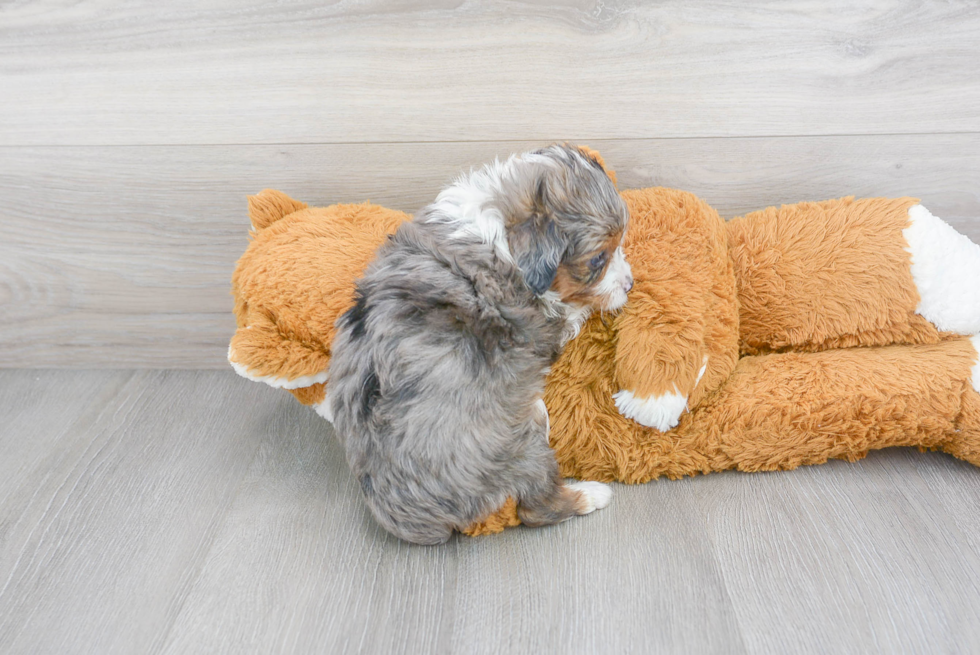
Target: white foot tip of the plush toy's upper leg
x=946, y=272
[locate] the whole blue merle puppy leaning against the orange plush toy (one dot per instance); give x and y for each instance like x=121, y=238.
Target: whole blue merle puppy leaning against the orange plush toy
x=438, y=371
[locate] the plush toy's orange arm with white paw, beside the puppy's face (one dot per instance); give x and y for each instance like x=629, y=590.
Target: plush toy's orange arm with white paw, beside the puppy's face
x=676, y=338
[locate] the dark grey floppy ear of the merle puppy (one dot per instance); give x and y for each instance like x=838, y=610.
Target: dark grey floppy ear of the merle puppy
x=537, y=246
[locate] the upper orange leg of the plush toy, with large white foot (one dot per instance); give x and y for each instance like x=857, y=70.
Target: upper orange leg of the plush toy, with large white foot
x=841, y=273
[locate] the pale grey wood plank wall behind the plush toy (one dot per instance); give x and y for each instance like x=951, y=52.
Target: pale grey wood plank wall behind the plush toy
x=130, y=133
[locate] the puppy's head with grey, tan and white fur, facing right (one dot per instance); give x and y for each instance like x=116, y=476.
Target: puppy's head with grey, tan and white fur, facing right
x=565, y=224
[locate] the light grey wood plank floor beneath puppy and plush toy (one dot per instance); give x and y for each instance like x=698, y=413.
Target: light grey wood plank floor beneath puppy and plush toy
x=196, y=512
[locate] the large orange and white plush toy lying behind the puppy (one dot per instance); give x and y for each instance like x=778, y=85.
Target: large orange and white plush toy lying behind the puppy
x=784, y=337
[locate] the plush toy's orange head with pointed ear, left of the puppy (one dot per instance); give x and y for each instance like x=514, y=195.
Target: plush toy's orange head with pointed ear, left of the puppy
x=294, y=280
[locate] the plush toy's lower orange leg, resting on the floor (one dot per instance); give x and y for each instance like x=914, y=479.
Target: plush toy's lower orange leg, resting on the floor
x=781, y=411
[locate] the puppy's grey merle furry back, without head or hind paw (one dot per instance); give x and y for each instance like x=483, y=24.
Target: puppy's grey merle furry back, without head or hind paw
x=431, y=366
